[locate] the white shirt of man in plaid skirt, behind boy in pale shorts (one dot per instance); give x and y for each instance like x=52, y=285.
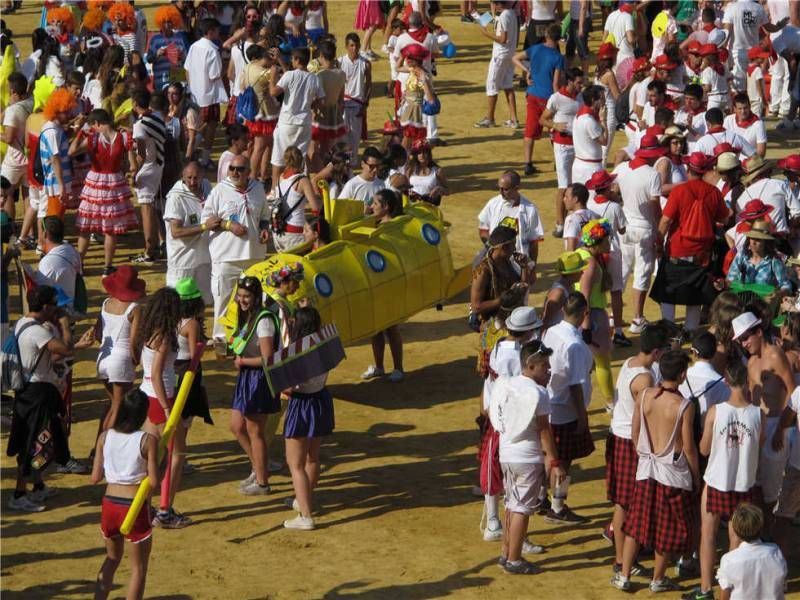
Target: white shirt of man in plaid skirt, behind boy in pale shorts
x=570, y=364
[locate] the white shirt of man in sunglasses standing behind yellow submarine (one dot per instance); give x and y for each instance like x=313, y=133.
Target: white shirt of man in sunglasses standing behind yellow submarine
x=247, y=208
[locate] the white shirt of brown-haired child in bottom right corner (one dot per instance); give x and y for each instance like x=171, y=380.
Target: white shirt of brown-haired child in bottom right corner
x=754, y=570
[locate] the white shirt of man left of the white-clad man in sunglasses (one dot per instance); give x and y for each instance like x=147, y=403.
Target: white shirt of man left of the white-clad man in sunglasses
x=186, y=208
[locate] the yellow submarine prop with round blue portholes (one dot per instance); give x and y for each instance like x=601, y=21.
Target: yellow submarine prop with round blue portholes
x=370, y=276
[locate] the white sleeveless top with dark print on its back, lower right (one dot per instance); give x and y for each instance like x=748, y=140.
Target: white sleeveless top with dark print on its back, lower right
x=733, y=460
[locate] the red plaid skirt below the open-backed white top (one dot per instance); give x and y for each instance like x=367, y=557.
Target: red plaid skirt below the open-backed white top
x=662, y=517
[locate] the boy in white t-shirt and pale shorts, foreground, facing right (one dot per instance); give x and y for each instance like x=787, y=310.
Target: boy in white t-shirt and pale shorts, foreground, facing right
x=523, y=448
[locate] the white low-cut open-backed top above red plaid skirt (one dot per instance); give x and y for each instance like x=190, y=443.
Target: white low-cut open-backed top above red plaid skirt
x=664, y=467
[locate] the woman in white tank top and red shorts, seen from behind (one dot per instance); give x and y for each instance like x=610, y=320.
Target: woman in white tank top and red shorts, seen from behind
x=125, y=455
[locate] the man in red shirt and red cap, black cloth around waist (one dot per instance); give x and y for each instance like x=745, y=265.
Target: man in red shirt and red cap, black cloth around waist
x=688, y=224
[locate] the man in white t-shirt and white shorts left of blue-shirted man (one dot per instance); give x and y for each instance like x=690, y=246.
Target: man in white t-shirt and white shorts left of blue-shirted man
x=500, y=76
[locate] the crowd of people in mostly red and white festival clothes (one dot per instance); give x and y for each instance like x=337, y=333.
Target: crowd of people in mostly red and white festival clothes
x=119, y=127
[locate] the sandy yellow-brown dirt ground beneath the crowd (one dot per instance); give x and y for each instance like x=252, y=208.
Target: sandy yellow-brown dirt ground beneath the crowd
x=396, y=517
